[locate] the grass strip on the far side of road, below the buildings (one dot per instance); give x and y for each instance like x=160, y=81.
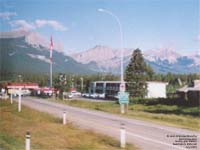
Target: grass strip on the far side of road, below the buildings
x=183, y=117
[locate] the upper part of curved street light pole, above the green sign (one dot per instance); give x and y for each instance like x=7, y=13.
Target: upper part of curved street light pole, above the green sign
x=121, y=41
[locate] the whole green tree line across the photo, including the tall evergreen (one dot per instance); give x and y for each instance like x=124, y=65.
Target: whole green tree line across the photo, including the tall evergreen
x=136, y=74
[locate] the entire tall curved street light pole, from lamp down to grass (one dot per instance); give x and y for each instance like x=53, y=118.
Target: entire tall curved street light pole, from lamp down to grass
x=122, y=83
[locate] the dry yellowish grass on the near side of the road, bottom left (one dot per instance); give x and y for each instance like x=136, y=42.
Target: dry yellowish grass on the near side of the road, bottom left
x=47, y=132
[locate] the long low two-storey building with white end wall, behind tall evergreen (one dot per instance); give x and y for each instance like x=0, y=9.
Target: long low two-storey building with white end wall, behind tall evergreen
x=111, y=89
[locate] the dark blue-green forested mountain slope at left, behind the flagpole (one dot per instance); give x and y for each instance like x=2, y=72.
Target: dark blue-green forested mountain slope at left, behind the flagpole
x=19, y=55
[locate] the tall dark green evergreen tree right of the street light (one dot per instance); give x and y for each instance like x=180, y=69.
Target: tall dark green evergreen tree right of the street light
x=137, y=73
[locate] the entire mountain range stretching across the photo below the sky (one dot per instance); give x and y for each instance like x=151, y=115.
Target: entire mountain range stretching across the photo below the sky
x=25, y=51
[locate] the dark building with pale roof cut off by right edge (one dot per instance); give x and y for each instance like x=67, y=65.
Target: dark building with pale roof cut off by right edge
x=190, y=92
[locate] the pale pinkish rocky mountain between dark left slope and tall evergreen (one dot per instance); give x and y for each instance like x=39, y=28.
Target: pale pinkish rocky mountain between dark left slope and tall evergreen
x=101, y=58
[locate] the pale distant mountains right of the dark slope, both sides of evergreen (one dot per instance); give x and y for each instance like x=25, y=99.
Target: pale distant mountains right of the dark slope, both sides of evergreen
x=106, y=59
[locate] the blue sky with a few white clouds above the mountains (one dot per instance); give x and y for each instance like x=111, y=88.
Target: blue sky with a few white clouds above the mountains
x=78, y=25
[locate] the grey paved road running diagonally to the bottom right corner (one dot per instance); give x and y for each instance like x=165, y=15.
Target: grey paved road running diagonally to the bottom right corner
x=145, y=135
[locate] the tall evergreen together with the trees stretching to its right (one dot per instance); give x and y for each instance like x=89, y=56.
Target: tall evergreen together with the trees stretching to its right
x=138, y=72
